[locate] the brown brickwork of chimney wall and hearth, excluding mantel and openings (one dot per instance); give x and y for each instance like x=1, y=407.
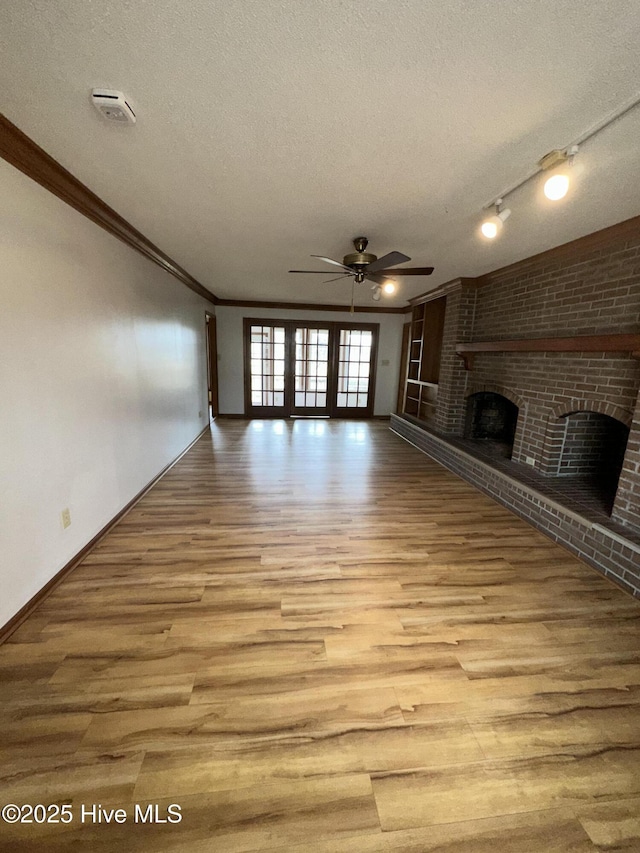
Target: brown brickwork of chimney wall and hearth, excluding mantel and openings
x=588, y=287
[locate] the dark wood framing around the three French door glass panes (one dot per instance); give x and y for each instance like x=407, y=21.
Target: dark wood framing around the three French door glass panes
x=334, y=337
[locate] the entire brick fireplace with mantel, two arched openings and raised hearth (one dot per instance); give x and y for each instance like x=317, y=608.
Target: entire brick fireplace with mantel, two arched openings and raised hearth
x=536, y=400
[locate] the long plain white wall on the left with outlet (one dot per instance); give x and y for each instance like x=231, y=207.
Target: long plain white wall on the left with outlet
x=102, y=380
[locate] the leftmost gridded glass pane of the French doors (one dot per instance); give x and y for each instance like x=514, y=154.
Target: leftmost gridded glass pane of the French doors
x=267, y=368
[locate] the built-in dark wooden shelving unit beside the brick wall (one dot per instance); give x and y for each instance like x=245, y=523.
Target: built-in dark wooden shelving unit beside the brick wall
x=423, y=362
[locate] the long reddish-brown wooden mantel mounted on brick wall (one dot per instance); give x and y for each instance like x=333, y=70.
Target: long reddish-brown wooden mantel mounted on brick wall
x=581, y=343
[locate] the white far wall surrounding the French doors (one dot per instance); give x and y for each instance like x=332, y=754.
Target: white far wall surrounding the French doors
x=230, y=351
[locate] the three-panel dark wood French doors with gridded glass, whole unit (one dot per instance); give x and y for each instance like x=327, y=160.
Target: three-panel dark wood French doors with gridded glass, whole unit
x=305, y=368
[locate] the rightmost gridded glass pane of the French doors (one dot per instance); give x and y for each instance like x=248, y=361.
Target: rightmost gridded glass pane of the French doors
x=355, y=350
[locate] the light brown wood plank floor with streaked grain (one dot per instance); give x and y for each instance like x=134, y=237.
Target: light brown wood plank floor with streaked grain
x=313, y=638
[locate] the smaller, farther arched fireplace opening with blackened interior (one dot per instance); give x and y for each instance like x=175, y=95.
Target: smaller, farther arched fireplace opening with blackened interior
x=491, y=419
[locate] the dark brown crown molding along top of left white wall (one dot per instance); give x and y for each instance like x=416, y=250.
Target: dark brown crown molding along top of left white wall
x=23, y=153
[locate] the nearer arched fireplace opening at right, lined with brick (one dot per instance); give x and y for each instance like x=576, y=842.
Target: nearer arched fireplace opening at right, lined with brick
x=593, y=452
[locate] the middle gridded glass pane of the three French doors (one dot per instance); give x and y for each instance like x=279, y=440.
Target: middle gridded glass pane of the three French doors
x=311, y=371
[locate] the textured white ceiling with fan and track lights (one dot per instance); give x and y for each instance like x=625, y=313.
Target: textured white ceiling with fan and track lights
x=270, y=130
